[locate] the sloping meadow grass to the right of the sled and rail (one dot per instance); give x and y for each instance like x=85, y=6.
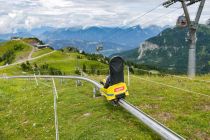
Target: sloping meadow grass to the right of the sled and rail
x=186, y=113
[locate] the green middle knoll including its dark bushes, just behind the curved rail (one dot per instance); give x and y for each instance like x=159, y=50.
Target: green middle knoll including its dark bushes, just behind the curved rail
x=65, y=63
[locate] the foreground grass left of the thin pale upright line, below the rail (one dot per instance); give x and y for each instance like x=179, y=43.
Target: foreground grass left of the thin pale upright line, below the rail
x=20, y=110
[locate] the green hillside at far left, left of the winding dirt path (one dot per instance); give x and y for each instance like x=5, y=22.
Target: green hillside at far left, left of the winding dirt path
x=13, y=51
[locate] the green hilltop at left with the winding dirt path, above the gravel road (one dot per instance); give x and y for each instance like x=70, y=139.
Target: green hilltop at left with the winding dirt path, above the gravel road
x=21, y=49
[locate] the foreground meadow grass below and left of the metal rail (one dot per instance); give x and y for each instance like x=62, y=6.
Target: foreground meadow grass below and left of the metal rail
x=28, y=114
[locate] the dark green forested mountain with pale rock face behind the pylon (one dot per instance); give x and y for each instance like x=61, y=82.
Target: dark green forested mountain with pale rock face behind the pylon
x=169, y=50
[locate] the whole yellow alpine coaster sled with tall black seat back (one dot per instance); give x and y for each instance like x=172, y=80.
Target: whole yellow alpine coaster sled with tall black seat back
x=114, y=87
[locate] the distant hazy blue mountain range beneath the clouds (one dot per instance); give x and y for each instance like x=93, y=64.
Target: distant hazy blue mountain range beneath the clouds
x=113, y=39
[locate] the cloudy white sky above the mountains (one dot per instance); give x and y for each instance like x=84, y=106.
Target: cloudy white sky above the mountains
x=83, y=13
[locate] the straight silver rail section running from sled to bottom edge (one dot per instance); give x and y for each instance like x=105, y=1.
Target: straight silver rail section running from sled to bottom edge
x=157, y=127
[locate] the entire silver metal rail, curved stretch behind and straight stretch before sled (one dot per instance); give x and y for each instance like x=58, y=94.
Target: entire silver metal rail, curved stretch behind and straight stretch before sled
x=154, y=125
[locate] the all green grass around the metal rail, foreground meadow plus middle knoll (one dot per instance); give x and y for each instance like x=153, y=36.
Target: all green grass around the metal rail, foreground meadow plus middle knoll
x=26, y=110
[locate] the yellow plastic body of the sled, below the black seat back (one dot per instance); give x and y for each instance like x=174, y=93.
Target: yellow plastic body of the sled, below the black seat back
x=115, y=92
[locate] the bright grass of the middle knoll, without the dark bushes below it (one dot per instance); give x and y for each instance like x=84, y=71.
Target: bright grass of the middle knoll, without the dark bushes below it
x=66, y=62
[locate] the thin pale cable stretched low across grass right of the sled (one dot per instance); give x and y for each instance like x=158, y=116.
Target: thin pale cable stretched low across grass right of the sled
x=170, y=86
